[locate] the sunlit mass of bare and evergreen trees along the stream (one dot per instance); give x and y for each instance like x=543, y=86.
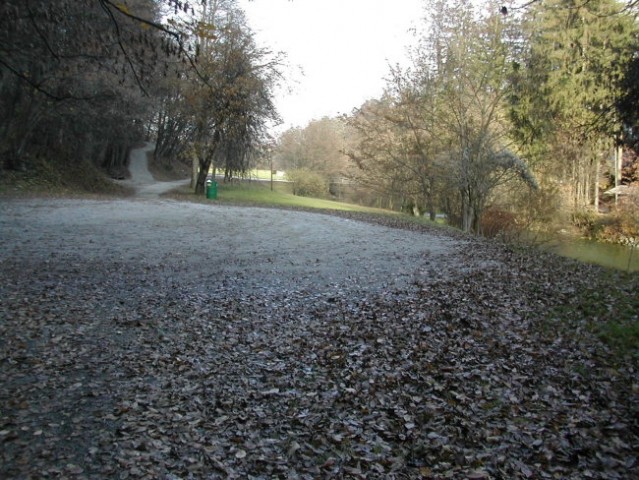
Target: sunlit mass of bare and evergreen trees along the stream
x=505, y=108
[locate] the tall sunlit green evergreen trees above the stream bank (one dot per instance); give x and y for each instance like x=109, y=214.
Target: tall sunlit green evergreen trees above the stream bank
x=566, y=95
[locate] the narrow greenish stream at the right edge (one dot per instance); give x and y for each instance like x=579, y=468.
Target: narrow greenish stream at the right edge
x=606, y=254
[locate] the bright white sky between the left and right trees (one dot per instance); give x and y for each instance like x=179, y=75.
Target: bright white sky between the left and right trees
x=343, y=48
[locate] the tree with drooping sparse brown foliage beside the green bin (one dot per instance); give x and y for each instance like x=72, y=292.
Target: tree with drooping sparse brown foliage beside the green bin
x=218, y=113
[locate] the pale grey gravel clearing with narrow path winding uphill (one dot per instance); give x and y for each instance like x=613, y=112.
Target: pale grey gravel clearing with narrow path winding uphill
x=212, y=245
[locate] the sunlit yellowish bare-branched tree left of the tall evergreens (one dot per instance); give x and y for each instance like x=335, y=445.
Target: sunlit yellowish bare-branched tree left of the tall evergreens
x=440, y=135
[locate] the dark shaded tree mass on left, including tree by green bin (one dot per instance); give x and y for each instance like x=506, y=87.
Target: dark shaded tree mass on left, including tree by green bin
x=86, y=80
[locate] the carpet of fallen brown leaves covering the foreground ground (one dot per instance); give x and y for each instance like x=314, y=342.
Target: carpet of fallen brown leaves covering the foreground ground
x=132, y=377
